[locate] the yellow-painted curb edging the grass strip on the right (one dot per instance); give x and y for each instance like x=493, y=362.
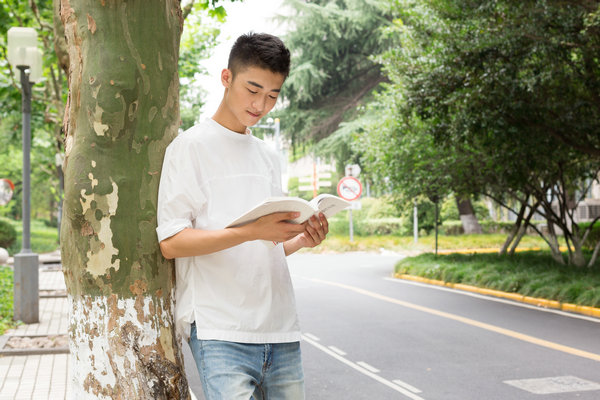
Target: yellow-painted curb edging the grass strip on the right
x=574, y=308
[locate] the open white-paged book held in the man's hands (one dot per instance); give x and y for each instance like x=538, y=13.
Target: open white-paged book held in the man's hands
x=328, y=204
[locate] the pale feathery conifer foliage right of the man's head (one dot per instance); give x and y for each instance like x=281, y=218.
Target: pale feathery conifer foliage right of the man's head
x=332, y=72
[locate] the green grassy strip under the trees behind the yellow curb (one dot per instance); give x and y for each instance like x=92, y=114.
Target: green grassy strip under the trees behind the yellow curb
x=533, y=274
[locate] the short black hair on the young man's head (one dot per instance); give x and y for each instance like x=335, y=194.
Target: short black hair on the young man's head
x=259, y=50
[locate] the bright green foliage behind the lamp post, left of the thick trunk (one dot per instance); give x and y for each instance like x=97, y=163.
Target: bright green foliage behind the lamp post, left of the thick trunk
x=47, y=111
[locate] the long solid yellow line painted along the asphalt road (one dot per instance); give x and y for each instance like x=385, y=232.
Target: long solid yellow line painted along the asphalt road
x=468, y=321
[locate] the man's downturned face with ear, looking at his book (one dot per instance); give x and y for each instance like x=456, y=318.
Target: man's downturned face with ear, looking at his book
x=249, y=96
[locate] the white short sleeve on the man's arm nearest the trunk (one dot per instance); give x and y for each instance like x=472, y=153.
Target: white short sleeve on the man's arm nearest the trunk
x=180, y=196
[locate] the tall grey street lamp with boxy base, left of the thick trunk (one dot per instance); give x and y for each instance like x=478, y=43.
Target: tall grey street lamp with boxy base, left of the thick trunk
x=27, y=58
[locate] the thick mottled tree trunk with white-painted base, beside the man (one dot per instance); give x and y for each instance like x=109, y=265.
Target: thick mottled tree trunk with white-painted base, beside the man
x=122, y=112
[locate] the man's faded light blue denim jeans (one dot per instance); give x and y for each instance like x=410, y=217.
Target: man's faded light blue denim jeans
x=241, y=371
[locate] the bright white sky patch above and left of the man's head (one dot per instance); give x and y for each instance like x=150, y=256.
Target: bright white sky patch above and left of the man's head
x=242, y=17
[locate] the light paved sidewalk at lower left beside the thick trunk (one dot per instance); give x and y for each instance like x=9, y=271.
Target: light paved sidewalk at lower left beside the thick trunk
x=39, y=374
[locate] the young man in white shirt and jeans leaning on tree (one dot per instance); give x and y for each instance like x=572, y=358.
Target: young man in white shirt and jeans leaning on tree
x=234, y=297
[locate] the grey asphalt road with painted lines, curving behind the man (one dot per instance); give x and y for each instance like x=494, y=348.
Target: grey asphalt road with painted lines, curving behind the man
x=367, y=336
